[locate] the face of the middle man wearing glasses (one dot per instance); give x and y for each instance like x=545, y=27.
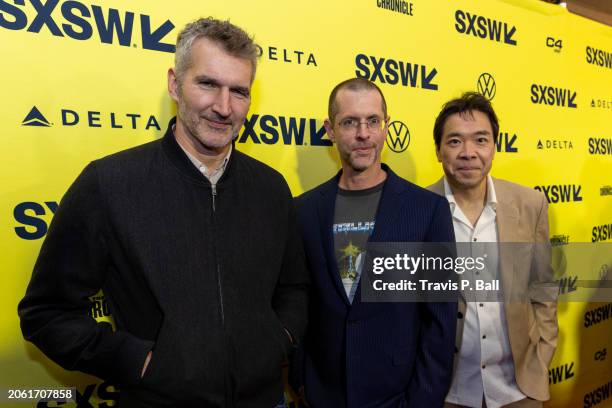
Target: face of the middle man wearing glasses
x=359, y=147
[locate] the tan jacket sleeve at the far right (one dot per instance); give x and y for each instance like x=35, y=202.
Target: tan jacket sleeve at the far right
x=543, y=290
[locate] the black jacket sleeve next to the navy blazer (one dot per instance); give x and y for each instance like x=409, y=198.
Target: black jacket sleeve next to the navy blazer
x=290, y=300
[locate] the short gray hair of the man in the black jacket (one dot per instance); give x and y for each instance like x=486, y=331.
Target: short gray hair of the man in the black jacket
x=233, y=39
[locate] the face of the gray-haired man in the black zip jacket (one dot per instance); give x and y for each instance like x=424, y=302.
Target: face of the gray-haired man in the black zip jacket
x=213, y=96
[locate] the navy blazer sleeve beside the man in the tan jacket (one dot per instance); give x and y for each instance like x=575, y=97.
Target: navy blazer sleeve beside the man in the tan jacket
x=434, y=362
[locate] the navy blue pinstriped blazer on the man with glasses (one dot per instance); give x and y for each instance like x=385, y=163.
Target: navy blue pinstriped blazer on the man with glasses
x=374, y=354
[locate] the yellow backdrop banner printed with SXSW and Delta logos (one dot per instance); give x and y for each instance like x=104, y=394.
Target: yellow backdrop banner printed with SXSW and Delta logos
x=81, y=79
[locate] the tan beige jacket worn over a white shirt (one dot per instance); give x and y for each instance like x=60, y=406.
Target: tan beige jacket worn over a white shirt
x=522, y=216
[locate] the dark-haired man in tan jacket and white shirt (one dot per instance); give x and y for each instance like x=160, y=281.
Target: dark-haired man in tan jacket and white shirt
x=503, y=349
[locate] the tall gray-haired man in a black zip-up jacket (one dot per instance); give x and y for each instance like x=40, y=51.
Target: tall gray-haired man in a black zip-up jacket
x=194, y=244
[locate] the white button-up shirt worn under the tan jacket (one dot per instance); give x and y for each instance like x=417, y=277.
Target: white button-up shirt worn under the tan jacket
x=484, y=367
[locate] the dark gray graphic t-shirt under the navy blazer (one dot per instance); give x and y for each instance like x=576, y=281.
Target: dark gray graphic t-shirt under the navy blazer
x=354, y=218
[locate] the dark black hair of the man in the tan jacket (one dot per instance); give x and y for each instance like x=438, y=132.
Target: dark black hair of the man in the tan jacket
x=468, y=102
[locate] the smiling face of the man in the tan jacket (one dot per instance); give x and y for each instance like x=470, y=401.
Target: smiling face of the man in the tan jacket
x=467, y=149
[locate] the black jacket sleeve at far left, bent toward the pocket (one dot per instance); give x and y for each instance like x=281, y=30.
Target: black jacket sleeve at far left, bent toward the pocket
x=70, y=268
